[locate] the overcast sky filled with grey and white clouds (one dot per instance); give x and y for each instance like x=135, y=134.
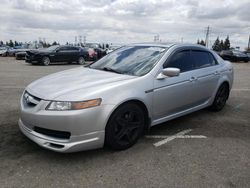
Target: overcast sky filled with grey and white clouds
x=125, y=21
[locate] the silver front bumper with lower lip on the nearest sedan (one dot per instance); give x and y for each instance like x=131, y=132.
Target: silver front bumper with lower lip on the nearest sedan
x=86, y=127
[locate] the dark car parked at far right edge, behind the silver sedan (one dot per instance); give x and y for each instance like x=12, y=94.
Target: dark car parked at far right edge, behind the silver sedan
x=234, y=55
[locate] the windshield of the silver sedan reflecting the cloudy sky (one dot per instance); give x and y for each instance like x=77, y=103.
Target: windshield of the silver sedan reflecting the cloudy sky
x=131, y=60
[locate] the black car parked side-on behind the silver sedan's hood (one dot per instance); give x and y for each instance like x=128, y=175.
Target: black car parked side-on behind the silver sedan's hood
x=55, y=54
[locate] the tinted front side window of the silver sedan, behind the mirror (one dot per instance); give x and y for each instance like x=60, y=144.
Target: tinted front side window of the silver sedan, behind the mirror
x=181, y=60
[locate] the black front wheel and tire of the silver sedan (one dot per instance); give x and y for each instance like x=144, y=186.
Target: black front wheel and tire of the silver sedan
x=125, y=126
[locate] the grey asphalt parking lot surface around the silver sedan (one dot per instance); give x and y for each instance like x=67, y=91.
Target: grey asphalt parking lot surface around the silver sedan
x=220, y=160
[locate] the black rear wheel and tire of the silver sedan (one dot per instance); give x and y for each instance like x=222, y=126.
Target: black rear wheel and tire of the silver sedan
x=220, y=98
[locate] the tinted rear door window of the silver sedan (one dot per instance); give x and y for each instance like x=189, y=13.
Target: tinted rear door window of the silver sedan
x=201, y=59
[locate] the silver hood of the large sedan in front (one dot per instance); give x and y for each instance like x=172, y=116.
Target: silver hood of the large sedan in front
x=52, y=86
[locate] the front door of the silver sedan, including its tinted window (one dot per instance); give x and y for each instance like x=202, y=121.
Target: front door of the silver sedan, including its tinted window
x=175, y=94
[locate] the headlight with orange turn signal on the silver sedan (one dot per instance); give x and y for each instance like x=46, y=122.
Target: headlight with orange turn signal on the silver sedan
x=64, y=105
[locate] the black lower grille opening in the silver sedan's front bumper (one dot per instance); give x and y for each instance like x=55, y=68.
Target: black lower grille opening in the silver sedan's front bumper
x=52, y=133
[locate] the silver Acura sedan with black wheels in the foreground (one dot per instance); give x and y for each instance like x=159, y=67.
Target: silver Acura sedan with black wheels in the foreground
x=114, y=100
